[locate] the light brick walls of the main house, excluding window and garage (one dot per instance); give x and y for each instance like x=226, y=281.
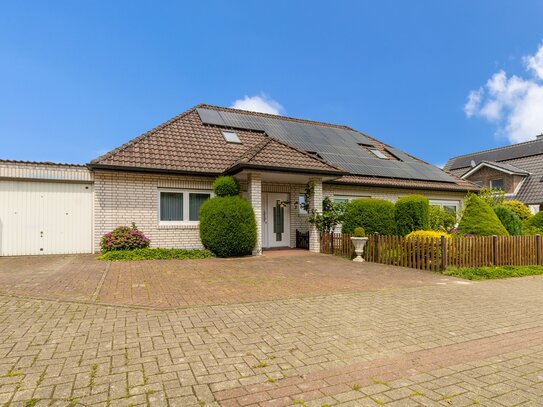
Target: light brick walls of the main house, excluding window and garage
x=125, y=197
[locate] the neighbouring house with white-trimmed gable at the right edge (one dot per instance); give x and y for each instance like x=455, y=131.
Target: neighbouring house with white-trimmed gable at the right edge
x=517, y=169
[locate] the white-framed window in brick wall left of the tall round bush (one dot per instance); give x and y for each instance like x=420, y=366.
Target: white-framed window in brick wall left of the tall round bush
x=180, y=206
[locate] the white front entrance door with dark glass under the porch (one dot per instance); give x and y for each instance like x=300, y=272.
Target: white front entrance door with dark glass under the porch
x=275, y=220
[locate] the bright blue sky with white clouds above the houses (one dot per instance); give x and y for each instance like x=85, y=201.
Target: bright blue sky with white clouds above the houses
x=78, y=78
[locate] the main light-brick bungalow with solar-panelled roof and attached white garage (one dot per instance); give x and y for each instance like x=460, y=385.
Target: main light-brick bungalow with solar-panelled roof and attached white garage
x=159, y=180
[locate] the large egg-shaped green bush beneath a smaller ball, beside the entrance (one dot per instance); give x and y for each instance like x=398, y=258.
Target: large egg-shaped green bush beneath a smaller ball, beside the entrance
x=228, y=226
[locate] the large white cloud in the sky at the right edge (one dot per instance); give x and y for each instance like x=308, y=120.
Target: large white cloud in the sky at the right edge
x=513, y=103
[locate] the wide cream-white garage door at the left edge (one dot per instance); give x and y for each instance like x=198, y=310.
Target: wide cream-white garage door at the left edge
x=45, y=218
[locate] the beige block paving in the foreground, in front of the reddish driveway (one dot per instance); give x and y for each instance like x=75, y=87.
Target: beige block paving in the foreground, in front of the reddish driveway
x=436, y=342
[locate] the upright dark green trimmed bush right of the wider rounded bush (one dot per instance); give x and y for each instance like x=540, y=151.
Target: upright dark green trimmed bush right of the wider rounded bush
x=411, y=213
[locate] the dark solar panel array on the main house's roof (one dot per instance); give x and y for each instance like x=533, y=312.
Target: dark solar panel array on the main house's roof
x=343, y=148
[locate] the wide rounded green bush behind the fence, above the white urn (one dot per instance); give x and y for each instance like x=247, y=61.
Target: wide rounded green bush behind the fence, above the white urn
x=374, y=215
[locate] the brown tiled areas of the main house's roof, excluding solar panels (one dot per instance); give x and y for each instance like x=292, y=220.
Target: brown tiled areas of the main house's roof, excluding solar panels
x=186, y=145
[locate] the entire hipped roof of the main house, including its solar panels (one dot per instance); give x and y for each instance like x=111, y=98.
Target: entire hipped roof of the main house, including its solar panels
x=193, y=143
